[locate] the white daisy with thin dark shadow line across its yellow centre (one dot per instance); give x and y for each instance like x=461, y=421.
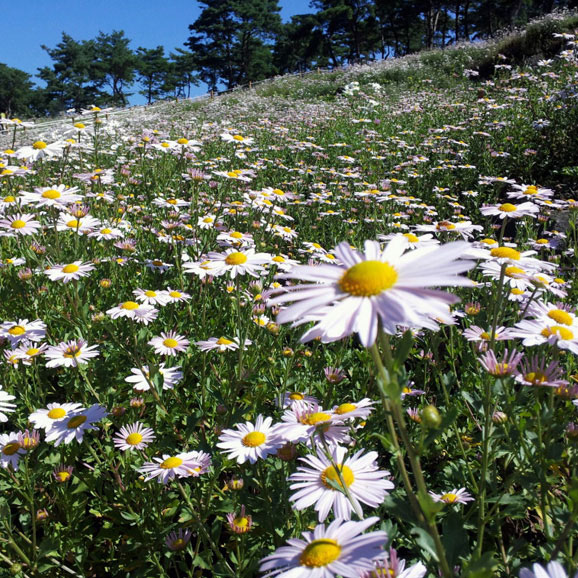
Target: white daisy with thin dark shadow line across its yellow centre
x=321, y=484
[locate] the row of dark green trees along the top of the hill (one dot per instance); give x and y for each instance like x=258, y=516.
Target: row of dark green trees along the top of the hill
x=234, y=42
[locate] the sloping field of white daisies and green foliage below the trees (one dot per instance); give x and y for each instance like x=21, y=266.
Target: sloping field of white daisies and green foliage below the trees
x=270, y=335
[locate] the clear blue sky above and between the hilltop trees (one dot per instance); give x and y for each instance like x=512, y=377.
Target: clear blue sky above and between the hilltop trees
x=27, y=26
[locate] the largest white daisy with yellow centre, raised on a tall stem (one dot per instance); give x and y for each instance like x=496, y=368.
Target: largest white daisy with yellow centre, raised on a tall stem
x=375, y=286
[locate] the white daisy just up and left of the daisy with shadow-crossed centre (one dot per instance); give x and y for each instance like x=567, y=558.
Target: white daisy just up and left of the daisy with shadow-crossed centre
x=249, y=442
